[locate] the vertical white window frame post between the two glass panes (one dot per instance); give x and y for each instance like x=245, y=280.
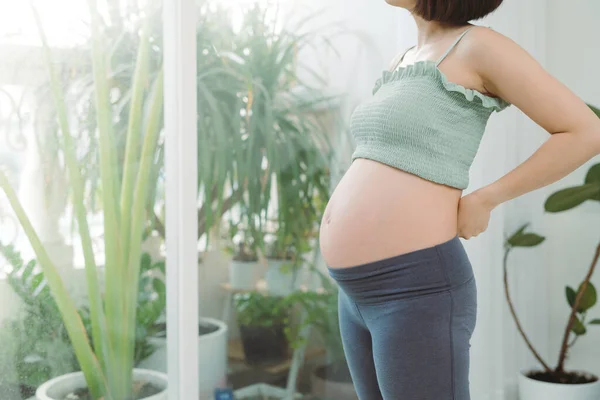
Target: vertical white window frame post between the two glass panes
x=179, y=25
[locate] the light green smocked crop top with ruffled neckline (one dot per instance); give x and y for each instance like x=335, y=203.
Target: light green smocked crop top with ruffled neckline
x=421, y=123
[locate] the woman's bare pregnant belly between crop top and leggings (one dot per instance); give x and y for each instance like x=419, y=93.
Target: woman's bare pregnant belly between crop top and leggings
x=377, y=211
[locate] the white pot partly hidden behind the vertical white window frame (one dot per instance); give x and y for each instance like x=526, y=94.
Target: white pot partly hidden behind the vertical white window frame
x=212, y=358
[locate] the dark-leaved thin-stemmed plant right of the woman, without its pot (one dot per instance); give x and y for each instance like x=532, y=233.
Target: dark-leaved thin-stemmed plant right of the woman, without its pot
x=580, y=301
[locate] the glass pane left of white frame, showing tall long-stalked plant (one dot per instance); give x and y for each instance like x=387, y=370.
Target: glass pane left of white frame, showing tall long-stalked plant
x=82, y=265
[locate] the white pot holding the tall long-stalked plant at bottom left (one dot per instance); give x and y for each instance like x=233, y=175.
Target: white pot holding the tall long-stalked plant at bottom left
x=58, y=388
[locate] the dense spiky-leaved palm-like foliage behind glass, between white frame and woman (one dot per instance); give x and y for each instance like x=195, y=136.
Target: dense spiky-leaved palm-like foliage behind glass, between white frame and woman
x=257, y=120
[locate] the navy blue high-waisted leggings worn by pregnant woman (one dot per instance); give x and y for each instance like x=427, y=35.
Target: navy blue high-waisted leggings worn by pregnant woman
x=406, y=322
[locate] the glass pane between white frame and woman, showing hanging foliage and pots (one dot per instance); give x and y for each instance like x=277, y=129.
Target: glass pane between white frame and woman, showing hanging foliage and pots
x=267, y=128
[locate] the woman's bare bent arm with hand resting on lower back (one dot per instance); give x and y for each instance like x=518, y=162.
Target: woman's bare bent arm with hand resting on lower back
x=511, y=73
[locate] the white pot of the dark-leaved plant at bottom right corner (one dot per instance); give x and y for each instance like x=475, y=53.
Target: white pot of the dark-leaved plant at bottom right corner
x=530, y=389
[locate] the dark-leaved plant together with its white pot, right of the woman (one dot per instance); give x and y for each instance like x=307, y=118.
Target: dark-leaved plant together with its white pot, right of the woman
x=554, y=383
